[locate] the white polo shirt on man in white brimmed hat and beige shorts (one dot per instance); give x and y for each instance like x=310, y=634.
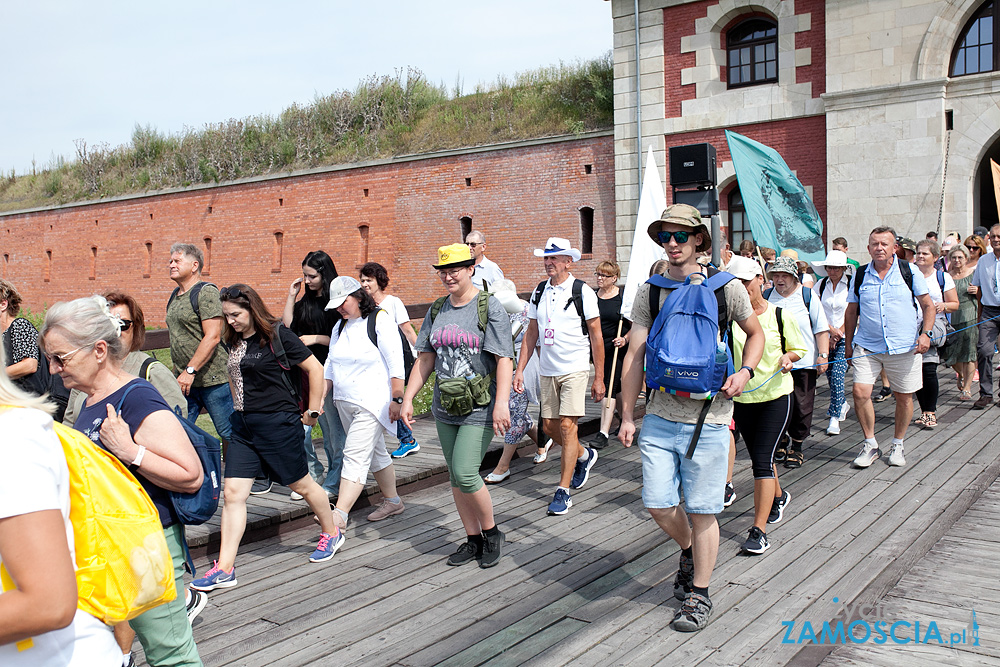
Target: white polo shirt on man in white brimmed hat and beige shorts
x=569, y=349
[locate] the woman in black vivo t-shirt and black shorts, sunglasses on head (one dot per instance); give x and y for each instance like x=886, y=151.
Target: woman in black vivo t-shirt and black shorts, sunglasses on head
x=267, y=425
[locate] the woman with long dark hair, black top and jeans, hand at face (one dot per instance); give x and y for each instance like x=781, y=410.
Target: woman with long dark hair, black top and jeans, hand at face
x=312, y=323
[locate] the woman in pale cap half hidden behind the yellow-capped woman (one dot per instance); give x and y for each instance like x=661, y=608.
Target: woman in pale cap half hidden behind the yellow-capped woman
x=520, y=421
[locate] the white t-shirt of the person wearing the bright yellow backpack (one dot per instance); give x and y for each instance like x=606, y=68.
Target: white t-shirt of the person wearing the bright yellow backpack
x=34, y=477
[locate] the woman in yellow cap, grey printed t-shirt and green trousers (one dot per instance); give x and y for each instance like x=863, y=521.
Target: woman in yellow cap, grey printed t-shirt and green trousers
x=467, y=342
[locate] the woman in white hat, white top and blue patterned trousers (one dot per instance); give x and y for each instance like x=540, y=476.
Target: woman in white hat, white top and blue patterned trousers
x=831, y=290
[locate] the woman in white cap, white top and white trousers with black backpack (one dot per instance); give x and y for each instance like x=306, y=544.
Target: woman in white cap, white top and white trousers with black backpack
x=364, y=373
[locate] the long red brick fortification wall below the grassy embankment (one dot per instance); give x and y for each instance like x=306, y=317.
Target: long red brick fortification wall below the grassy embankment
x=518, y=197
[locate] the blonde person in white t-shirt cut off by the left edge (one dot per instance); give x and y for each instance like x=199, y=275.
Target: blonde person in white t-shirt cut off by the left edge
x=37, y=545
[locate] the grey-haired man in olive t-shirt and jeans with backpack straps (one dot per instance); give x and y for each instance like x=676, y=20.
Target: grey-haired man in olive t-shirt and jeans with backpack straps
x=194, y=320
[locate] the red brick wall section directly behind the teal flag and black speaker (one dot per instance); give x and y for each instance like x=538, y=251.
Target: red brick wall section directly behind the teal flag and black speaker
x=800, y=141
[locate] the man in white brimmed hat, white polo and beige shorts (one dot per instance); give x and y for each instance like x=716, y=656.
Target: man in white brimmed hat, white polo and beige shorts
x=563, y=315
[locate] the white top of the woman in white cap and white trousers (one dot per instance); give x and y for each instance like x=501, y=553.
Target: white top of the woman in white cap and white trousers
x=359, y=371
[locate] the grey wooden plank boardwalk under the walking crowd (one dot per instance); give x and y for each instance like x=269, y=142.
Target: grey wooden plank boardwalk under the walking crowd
x=594, y=587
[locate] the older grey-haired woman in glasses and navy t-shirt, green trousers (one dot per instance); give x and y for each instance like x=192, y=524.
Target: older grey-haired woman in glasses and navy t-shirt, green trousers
x=127, y=416
